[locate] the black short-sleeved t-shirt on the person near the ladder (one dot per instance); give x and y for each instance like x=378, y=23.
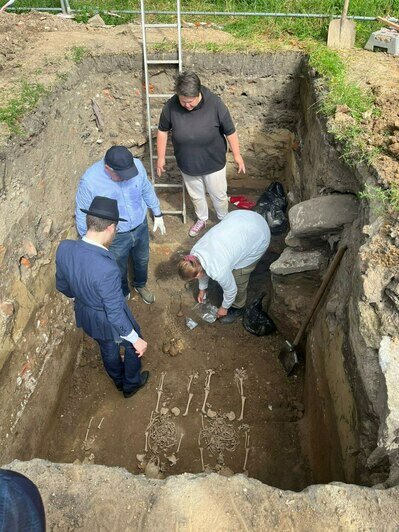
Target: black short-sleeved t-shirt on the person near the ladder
x=198, y=136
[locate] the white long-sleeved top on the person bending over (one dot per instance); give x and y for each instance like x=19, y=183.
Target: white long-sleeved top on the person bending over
x=240, y=239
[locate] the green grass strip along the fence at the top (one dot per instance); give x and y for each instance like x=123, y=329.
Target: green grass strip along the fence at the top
x=243, y=26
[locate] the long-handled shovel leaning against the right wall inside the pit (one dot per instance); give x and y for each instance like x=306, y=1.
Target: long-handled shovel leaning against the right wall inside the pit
x=288, y=355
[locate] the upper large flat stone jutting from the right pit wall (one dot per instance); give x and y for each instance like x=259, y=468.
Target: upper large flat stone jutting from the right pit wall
x=322, y=215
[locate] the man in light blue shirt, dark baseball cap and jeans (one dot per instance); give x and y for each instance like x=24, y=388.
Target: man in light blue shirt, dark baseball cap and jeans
x=122, y=177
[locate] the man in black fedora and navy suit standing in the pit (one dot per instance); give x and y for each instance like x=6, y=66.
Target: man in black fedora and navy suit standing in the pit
x=88, y=272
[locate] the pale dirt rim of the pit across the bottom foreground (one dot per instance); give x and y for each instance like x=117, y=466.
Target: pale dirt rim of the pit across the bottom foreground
x=93, y=497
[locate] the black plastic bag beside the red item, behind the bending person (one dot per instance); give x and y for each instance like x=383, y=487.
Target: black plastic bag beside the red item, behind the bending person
x=272, y=205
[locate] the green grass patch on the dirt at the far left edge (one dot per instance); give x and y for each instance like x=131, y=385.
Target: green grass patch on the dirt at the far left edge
x=17, y=107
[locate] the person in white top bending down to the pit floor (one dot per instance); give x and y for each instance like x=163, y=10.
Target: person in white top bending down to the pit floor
x=228, y=253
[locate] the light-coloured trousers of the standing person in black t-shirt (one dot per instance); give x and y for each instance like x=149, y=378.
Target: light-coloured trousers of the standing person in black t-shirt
x=216, y=186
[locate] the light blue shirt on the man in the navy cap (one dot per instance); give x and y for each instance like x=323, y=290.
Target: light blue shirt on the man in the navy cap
x=133, y=196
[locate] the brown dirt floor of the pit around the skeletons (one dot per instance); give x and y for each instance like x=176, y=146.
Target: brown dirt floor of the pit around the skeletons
x=273, y=407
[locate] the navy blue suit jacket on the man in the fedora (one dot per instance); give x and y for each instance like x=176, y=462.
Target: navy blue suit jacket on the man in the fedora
x=91, y=275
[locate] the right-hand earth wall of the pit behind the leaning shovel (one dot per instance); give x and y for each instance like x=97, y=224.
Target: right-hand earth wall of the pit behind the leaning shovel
x=344, y=380
